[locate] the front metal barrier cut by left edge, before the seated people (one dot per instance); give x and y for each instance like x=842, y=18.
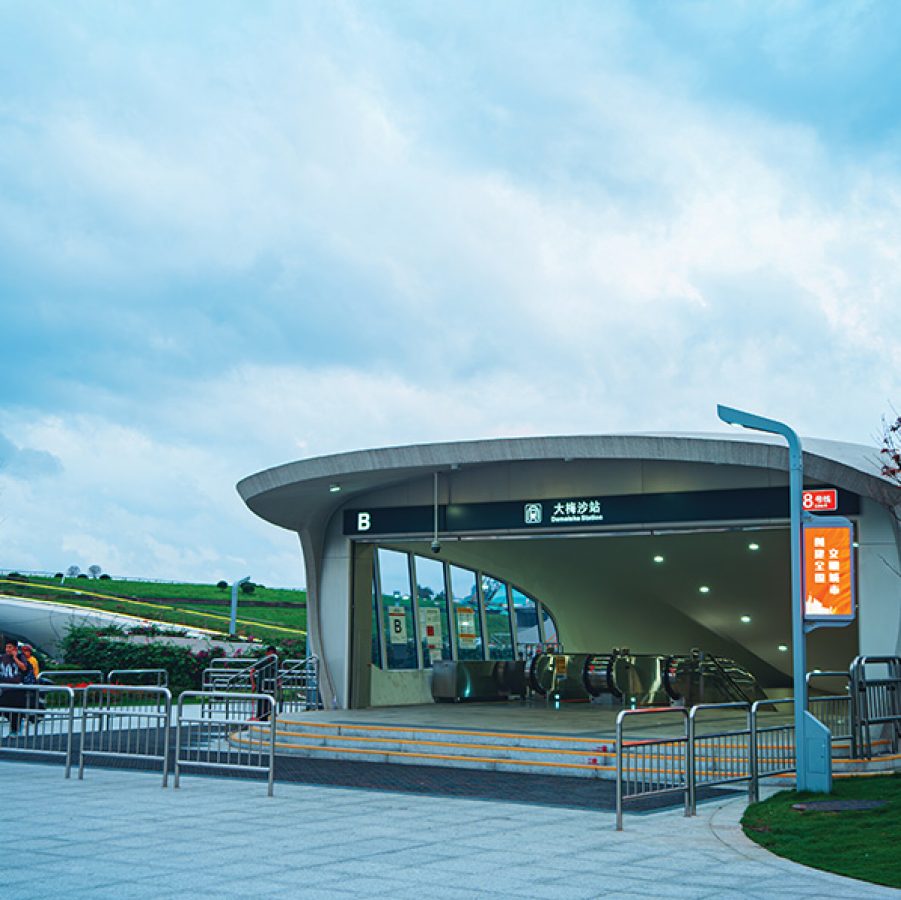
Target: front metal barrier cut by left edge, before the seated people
x=41, y=719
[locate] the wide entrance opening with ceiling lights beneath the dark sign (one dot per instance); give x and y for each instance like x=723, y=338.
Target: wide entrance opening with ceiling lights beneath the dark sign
x=720, y=593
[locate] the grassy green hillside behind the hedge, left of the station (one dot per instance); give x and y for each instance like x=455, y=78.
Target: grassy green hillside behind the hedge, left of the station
x=168, y=604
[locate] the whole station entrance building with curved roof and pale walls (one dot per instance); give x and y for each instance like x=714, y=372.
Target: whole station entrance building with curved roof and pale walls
x=420, y=557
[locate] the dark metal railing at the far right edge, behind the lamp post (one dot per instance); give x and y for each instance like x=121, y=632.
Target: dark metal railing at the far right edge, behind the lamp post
x=877, y=701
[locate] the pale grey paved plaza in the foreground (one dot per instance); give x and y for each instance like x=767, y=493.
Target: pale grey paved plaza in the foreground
x=118, y=834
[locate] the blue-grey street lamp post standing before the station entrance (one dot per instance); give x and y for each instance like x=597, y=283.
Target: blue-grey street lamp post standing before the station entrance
x=813, y=744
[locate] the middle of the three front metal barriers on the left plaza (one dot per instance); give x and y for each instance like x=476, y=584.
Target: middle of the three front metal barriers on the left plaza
x=126, y=722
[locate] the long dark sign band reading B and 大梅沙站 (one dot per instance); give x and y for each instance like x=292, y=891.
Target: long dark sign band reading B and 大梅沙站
x=745, y=504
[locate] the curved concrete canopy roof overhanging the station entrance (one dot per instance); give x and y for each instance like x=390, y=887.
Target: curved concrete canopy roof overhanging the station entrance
x=295, y=494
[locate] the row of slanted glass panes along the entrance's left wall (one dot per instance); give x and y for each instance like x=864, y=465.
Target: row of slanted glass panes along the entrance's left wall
x=425, y=610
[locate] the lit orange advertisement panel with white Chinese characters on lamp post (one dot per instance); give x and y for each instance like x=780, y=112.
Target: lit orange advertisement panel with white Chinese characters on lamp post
x=828, y=570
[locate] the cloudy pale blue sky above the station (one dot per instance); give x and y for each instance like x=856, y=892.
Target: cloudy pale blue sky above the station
x=236, y=234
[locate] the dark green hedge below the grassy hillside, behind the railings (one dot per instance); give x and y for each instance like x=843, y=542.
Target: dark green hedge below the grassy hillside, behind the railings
x=84, y=648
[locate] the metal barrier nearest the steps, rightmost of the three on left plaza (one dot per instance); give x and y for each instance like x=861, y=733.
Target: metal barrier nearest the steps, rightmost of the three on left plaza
x=243, y=740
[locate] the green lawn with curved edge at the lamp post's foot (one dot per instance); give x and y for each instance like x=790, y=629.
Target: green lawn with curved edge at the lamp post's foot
x=864, y=844
